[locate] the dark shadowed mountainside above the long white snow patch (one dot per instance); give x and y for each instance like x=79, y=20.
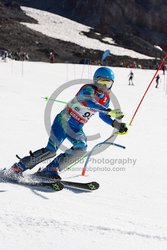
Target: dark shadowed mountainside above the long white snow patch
x=146, y=19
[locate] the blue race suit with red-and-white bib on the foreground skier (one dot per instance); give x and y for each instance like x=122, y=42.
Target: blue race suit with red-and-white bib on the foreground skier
x=69, y=122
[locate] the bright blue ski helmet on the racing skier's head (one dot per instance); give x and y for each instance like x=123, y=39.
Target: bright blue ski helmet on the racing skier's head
x=103, y=72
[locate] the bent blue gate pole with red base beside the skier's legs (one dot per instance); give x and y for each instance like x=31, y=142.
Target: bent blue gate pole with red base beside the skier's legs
x=96, y=146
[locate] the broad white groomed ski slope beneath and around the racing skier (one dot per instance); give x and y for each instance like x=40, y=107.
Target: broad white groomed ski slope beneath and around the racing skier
x=129, y=210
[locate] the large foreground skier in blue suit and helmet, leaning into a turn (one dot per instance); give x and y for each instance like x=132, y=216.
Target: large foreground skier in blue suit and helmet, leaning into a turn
x=68, y=124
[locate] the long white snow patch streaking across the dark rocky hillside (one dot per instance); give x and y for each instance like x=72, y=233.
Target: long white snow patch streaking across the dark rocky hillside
x=67, y=30
